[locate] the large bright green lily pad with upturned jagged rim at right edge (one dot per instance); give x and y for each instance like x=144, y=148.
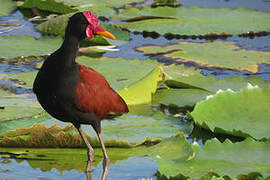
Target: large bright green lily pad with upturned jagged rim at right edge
x=243, y=113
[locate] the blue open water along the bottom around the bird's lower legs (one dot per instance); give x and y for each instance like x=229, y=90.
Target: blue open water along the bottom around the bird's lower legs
x=130, y=169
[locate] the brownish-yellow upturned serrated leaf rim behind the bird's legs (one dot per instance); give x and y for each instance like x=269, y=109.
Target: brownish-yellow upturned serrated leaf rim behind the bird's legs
x=39, y=136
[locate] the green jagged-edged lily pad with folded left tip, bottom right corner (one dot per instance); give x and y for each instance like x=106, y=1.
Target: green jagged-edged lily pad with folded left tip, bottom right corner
x=177, y=158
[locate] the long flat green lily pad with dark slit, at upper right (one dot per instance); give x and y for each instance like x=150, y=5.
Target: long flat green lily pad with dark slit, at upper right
x=194, y=20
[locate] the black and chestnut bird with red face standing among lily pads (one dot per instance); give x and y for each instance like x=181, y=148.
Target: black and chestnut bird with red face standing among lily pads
x=71, y=92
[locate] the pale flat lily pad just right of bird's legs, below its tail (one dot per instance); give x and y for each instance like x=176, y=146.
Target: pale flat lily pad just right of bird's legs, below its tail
x=136, y=128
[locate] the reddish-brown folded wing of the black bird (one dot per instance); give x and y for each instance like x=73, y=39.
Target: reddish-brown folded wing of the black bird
x=94, y=94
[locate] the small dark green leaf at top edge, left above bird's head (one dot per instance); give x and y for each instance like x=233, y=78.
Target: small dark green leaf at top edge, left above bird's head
x=48, y=5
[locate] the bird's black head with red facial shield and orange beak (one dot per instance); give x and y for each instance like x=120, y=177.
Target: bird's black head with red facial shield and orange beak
x=85, y=24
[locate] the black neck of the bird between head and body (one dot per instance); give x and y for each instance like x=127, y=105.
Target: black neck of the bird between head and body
x=69, y=49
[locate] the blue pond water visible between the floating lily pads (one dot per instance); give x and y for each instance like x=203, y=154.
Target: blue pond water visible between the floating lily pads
x=132, y=168
